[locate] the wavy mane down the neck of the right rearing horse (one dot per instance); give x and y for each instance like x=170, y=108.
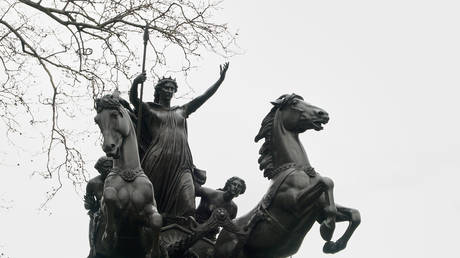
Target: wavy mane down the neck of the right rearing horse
x=266, y=131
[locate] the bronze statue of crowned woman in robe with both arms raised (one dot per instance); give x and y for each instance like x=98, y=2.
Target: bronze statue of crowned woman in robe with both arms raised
x=167, y=159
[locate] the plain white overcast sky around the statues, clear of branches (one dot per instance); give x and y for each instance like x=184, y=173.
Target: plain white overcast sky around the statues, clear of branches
x=388, y=74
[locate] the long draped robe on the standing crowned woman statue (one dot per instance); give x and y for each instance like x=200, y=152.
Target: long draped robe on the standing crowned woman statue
x=167, y=159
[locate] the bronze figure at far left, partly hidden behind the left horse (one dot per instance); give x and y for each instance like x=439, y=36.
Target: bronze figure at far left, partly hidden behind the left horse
x=92, y=199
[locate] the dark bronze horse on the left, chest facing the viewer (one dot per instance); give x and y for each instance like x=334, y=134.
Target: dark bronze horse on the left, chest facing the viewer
x=132, y=223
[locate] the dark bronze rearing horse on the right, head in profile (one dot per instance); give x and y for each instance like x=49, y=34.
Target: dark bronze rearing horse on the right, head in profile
x=297, y=197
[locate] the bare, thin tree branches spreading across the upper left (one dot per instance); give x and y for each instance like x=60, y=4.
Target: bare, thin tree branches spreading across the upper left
x=85, y=48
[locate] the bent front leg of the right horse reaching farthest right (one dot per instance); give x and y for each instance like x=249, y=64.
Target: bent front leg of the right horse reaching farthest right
x=344, y=214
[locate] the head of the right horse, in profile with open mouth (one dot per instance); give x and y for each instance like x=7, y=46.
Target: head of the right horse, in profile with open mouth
x=298, y=116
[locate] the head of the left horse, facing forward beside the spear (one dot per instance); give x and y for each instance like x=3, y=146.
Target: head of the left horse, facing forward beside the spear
x=114, y=122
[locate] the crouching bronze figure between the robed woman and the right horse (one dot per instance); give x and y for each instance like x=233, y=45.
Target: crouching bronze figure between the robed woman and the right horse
x=221, y=198
